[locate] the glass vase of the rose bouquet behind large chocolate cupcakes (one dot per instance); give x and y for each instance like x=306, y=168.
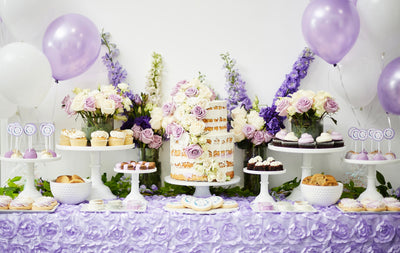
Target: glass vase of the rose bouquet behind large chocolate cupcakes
x=310, y=126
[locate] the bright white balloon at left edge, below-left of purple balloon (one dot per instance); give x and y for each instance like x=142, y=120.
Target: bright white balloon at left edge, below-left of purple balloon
x=25, y=74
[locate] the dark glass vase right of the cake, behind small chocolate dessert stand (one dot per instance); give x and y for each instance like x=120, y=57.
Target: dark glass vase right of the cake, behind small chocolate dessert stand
x=252, y=182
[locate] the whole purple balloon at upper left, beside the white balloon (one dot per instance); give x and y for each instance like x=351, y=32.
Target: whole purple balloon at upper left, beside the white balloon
x=72, y=44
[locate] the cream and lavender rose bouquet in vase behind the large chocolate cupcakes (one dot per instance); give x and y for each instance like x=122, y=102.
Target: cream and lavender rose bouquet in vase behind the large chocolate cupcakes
x=306, y=110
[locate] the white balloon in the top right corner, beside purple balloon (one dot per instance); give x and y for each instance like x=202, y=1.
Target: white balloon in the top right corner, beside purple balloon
x=380, y=19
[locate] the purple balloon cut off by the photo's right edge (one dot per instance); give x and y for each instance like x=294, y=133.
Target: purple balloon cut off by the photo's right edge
x=389, y=87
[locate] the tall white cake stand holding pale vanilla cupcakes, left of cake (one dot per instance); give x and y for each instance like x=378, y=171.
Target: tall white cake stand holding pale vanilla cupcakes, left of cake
x=99, y=190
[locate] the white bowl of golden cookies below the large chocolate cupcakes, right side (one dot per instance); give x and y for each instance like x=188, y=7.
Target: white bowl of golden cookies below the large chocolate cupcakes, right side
x=321, y=190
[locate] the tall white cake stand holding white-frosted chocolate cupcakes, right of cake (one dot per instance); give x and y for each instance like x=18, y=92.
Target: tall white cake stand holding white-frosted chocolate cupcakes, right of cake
x=307, y=163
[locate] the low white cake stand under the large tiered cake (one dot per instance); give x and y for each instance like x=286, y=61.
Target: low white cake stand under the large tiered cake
x=202, y=188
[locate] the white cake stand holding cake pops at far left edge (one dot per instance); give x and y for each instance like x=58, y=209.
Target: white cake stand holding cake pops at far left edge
x=29, y=187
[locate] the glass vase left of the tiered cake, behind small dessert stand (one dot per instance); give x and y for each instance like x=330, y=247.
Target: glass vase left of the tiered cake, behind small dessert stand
x=150, y=179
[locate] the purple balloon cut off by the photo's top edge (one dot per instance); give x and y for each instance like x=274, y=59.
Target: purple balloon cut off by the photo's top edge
x=330, y=28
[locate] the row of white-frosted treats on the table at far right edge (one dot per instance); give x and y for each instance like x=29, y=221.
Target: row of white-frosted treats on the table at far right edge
x=385, y=204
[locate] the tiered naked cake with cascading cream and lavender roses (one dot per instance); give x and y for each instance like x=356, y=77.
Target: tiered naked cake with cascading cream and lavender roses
x=201, y=149
